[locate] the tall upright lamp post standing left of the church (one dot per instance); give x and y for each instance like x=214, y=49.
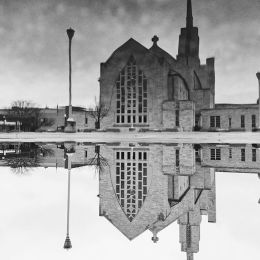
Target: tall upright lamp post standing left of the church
x=71, y=126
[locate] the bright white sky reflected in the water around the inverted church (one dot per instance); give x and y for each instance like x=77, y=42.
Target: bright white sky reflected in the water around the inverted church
x=33, y=220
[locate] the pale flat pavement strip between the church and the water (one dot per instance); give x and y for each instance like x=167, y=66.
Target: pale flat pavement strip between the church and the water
x=164, y=137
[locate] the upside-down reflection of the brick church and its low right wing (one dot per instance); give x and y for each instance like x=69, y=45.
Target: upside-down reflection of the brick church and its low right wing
x=148, y=187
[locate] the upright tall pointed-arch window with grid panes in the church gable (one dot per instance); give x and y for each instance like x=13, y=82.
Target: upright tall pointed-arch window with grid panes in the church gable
x=131, y=95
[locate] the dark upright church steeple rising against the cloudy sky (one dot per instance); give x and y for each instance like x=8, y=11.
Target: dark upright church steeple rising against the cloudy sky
x=189, y=40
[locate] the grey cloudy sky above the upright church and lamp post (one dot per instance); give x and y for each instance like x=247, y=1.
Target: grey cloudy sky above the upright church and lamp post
x=34, y=44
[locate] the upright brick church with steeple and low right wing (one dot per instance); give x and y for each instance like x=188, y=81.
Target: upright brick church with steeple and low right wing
x=149, y=89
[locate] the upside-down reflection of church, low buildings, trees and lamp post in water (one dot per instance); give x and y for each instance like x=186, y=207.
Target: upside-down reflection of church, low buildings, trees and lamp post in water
x=145, y=186
